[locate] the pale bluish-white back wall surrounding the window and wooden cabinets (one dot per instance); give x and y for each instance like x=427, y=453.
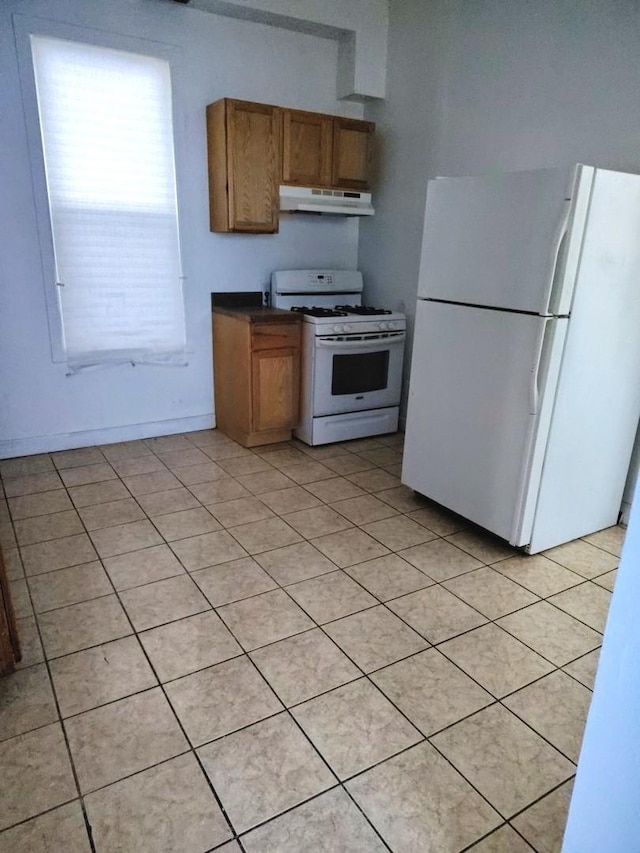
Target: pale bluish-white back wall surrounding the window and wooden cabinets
x=40, y=407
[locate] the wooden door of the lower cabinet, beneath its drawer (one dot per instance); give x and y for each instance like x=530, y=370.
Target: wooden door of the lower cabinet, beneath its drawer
x=275, y=396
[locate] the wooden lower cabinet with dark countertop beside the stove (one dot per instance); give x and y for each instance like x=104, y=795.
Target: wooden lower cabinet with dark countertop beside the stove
x=256, y=368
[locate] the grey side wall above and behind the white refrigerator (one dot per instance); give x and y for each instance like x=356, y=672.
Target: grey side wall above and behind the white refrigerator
x=497, y=84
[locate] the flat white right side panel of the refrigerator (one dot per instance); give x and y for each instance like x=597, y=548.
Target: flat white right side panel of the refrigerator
x=598, y=398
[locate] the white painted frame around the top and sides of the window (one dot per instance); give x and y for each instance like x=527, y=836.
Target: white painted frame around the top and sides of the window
x=27, y=26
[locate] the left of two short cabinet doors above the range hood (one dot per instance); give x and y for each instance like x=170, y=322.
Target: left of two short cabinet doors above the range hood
x=306, y=148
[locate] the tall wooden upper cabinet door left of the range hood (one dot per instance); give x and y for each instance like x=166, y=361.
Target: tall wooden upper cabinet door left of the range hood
x=253, y=154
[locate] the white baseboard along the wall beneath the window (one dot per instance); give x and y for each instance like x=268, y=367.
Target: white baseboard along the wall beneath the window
x=109, y=435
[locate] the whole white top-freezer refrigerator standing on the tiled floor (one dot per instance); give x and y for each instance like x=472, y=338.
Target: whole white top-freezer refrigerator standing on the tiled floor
x=524, y=395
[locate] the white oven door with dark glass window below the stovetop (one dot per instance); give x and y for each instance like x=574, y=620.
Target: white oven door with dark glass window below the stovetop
x=357, y=372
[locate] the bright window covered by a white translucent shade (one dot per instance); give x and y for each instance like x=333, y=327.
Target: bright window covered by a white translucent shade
x=107, y=138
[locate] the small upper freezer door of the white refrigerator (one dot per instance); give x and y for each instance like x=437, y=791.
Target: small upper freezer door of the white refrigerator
x=495, y=241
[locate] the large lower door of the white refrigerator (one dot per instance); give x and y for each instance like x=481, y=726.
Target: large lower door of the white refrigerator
x=480, y=397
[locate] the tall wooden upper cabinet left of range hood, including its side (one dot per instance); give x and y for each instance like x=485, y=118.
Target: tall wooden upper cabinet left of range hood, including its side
x=244, y=153
